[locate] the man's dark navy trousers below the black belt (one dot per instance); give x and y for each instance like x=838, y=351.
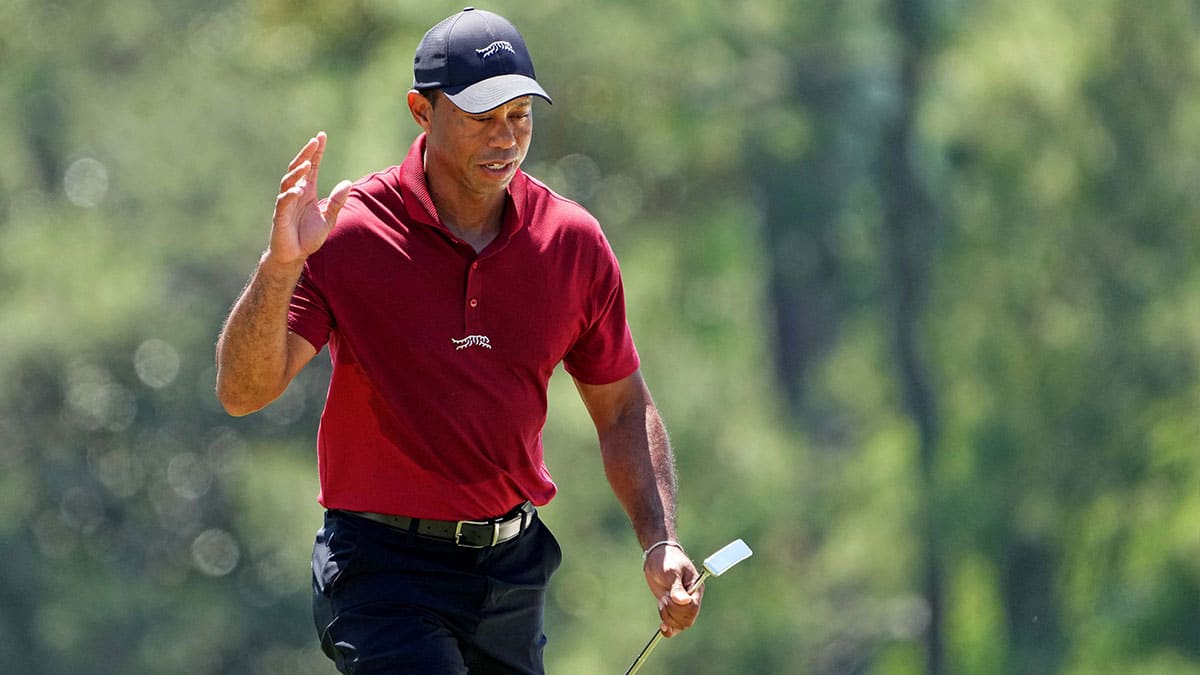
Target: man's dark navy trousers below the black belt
x=386, y=601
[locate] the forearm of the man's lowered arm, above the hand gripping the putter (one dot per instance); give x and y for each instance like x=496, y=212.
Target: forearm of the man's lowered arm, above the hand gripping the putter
x=640, y=469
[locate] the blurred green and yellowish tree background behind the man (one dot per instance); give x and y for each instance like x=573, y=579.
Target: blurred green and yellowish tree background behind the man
x=915, y=284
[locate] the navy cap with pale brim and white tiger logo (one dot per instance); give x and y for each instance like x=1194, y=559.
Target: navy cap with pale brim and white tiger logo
x=478, y=59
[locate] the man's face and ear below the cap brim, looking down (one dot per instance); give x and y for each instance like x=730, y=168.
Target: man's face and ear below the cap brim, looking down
x=478, y=153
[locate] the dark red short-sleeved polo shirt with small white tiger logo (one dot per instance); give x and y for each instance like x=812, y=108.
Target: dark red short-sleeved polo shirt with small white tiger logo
x=441, y=356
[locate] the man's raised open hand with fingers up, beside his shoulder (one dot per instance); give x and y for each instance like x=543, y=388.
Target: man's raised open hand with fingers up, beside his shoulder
x=301, y=226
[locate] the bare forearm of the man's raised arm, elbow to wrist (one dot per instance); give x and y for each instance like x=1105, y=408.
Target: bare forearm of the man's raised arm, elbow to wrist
x=253, y=350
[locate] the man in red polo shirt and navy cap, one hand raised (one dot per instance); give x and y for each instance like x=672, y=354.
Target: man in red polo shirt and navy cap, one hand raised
x=448, y=290
